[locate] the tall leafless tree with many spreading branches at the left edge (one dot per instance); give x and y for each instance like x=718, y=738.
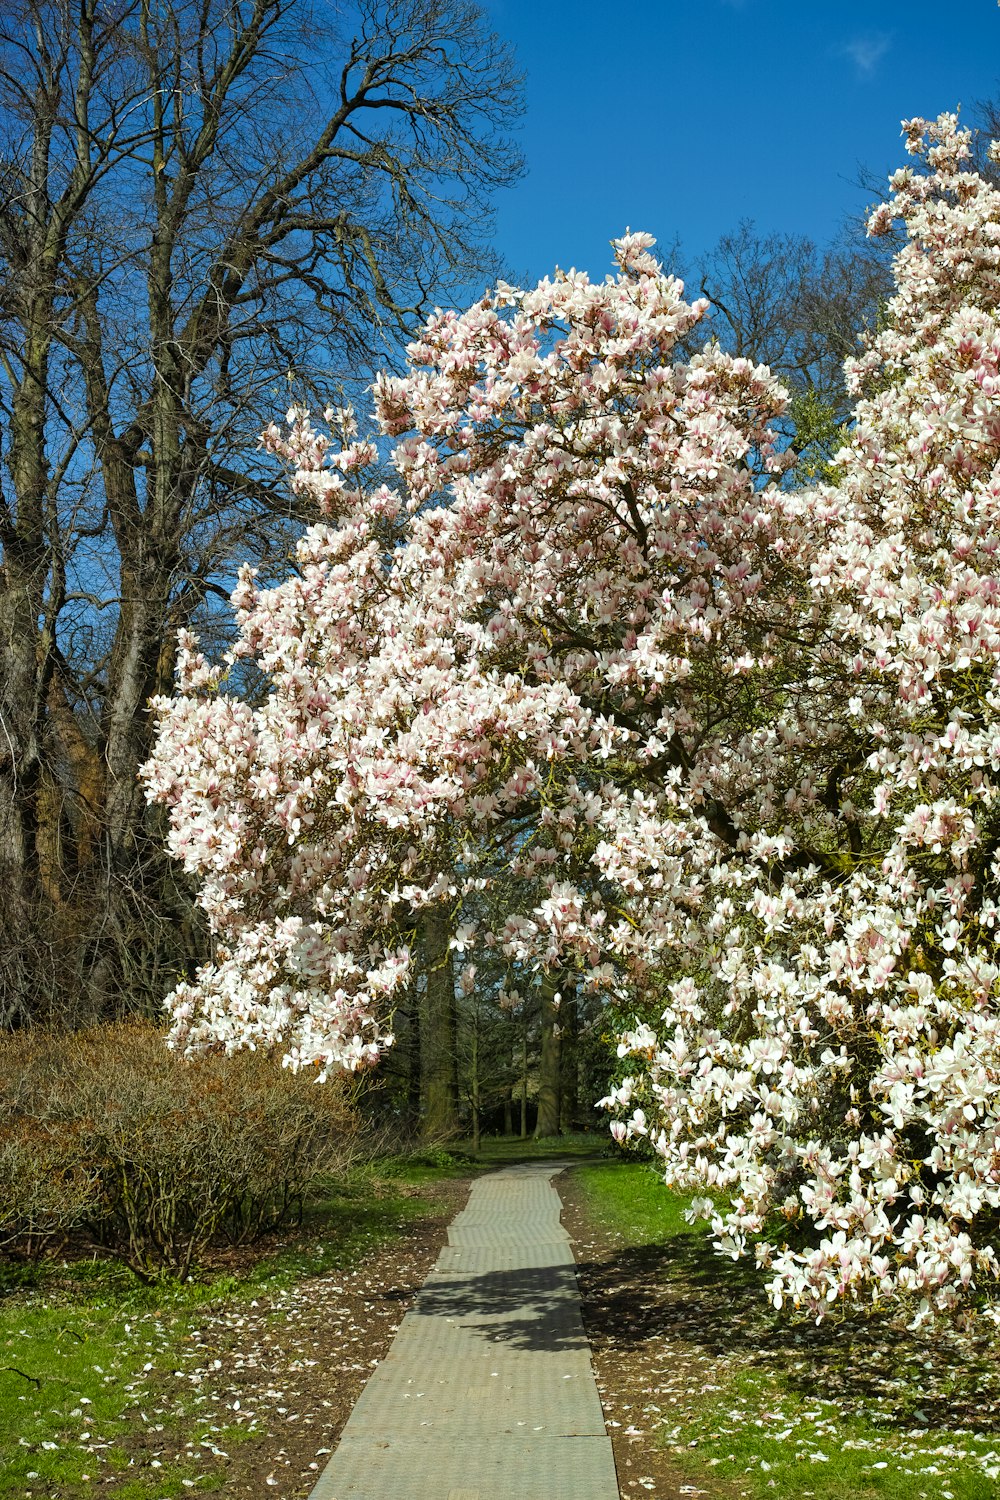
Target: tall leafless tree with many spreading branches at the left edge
x=205, y=205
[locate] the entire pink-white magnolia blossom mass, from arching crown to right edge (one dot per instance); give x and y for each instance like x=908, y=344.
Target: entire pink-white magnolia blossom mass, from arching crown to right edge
x=729, y=745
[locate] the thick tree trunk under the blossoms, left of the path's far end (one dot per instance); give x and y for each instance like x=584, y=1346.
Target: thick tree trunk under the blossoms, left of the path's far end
x=439, y=1022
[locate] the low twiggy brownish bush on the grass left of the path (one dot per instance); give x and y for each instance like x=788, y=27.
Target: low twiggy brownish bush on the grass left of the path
x=155, y=1156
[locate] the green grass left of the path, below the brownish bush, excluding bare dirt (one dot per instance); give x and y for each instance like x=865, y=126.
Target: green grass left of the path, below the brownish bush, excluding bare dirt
x=86, y=1346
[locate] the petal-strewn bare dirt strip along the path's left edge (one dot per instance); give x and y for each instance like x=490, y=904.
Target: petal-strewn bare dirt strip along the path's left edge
x=271, y=1385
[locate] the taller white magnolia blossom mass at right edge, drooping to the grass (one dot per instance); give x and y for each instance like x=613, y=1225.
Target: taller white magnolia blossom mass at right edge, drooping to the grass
x=830, y=1067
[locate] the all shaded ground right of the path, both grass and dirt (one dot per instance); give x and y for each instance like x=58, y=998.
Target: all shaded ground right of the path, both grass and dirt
x=708, y=1391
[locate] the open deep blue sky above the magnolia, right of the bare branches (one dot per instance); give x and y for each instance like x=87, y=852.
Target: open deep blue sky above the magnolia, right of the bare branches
x=684, y=116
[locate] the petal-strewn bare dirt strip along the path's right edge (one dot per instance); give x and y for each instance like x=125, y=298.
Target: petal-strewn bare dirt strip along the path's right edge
x=645, y=1372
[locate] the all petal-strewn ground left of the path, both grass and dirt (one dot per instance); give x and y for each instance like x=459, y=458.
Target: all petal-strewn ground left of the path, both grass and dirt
x=235, y=1384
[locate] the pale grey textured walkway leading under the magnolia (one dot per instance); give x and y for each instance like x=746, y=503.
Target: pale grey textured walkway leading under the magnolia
x=488, y=1390
